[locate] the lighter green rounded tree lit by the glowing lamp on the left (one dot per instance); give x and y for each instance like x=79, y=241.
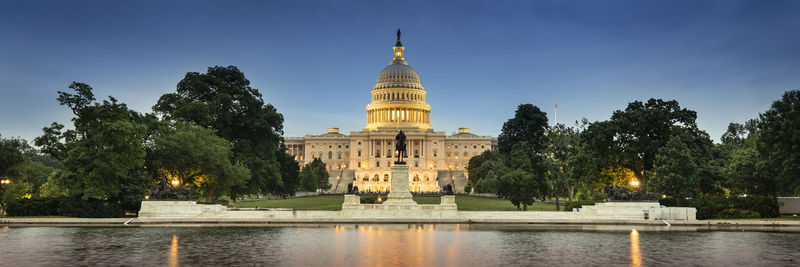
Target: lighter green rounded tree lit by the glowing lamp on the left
x=197, y=156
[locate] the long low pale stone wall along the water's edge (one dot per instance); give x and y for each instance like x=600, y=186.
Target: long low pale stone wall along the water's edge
x=446, y=211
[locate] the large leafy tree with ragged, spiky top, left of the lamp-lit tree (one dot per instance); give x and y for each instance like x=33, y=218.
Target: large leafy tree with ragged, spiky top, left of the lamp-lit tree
x=104, y=155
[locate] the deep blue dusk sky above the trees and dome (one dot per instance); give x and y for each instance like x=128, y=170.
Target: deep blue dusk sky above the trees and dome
x=316, y=61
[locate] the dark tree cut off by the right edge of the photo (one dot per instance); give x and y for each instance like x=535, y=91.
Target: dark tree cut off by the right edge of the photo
x=780, y=143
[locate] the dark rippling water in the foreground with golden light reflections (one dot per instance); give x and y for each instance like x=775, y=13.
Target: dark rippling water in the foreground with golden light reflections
x=392, y=245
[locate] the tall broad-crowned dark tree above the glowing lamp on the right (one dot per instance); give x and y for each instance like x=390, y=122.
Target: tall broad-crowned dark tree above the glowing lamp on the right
x=632, y=138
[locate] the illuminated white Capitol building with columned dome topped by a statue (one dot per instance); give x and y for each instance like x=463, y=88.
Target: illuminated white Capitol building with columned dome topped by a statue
x=364, y=157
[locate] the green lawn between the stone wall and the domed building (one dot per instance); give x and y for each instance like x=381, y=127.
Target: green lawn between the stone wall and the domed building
x=334, y=202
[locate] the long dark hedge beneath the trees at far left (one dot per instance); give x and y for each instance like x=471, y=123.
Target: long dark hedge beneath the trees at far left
x=65, y=206
